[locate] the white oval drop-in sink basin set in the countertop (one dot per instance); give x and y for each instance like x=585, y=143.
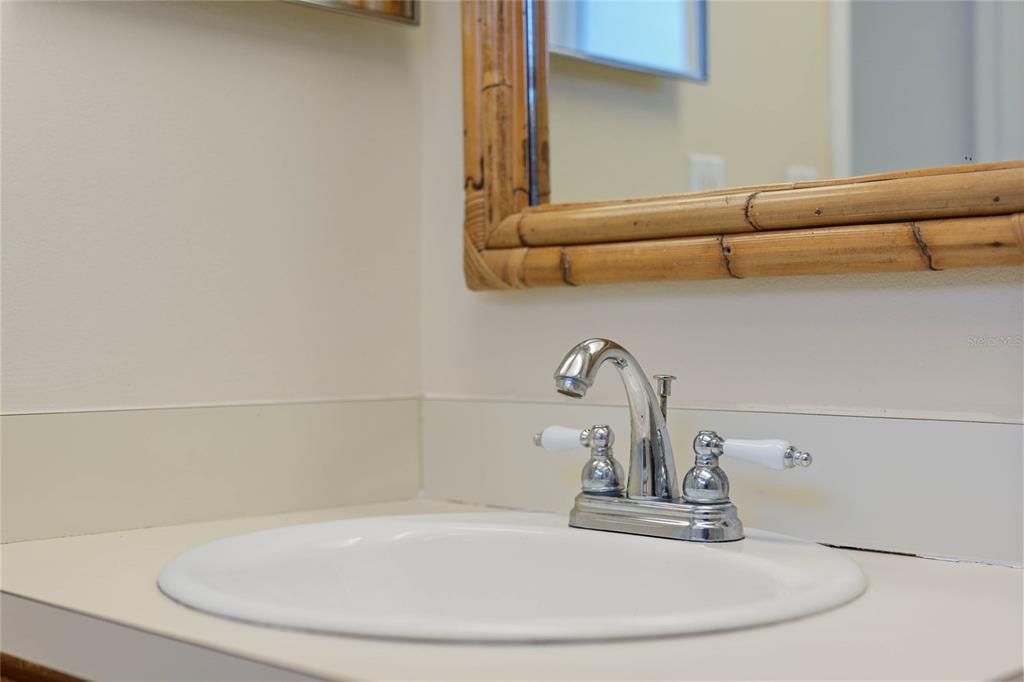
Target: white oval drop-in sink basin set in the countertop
x=505, y=577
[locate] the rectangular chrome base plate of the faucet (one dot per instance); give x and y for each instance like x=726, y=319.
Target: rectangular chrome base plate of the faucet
x=658, y=519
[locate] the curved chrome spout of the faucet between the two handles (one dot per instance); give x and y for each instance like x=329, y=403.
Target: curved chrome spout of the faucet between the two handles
x=653, y=466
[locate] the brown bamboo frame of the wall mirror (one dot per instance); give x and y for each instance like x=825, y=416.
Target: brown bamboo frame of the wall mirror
x=923, y=220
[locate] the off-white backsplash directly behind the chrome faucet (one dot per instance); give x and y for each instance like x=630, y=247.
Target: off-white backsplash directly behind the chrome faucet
x=947, y=489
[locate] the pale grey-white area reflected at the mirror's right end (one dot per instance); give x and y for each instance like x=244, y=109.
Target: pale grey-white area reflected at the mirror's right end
x=935, y=83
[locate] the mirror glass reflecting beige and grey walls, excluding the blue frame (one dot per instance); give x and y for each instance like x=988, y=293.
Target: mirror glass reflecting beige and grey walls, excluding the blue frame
x=795, y=92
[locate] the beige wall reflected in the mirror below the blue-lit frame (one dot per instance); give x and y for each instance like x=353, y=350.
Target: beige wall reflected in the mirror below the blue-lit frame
x=617, y=134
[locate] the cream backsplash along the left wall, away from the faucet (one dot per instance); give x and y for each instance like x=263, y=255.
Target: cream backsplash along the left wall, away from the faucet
x=78, y=474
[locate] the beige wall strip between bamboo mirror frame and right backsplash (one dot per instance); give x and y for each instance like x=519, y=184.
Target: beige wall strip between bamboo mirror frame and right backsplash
x=875, y=345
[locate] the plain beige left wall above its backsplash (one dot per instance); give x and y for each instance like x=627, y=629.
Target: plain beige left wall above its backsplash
x=207, y=203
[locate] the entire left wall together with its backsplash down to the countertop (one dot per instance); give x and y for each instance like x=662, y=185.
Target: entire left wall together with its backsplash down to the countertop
x=206, y=204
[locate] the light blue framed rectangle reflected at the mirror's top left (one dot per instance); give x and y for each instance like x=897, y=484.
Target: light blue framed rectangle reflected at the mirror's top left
x=665, y=37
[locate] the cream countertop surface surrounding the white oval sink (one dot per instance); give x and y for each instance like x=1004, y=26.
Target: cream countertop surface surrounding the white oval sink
x=920, y=619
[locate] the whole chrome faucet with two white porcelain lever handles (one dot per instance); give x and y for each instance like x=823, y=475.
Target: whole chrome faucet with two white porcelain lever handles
x=652, y=503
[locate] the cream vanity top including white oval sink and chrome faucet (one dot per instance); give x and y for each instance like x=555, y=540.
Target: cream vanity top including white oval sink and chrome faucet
x=646, y=579
